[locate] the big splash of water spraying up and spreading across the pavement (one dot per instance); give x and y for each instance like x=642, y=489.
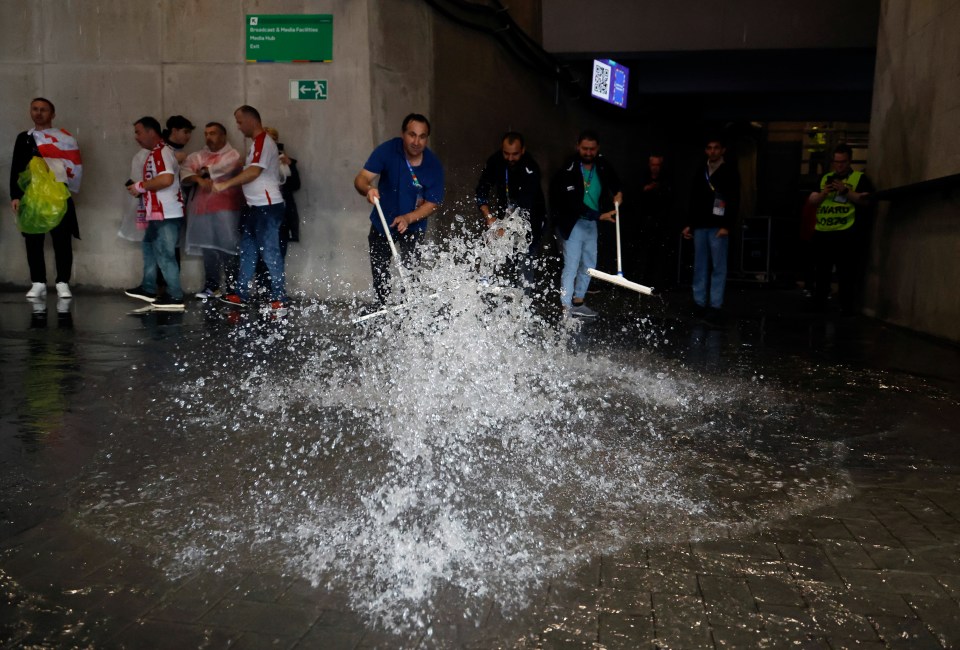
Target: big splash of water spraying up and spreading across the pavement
x=460, y=451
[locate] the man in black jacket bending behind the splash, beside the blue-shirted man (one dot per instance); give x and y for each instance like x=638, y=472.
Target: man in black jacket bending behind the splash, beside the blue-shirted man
x=512, y=177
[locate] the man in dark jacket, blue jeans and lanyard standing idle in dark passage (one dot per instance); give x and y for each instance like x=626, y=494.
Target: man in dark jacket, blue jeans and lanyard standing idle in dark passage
x=714, y=204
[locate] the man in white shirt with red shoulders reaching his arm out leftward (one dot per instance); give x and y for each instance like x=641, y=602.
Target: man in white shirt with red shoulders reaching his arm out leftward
x=260, y=221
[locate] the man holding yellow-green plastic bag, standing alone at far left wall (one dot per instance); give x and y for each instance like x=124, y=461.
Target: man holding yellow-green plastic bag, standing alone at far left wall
x=41, y=192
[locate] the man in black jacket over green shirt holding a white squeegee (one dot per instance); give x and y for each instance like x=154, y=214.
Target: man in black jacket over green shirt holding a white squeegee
x=581, y=194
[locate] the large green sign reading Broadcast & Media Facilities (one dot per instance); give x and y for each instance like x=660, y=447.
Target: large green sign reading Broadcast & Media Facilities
x=289, y=38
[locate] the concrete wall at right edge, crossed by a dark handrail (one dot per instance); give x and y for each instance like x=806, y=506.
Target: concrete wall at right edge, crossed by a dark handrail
x=914, y=131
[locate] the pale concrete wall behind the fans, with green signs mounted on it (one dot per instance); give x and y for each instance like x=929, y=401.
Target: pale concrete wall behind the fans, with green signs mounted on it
x=105, y=63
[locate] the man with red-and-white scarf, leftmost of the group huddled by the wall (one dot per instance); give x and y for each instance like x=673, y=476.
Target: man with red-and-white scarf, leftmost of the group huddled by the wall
x=160, y=216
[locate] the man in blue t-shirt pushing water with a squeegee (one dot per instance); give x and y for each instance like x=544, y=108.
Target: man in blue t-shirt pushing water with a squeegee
x=409, y=188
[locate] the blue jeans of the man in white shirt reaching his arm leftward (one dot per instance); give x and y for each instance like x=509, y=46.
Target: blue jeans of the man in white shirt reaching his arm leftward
x=260, y=236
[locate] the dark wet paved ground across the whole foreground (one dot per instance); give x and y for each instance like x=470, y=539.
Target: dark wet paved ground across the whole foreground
x=810, y=501
